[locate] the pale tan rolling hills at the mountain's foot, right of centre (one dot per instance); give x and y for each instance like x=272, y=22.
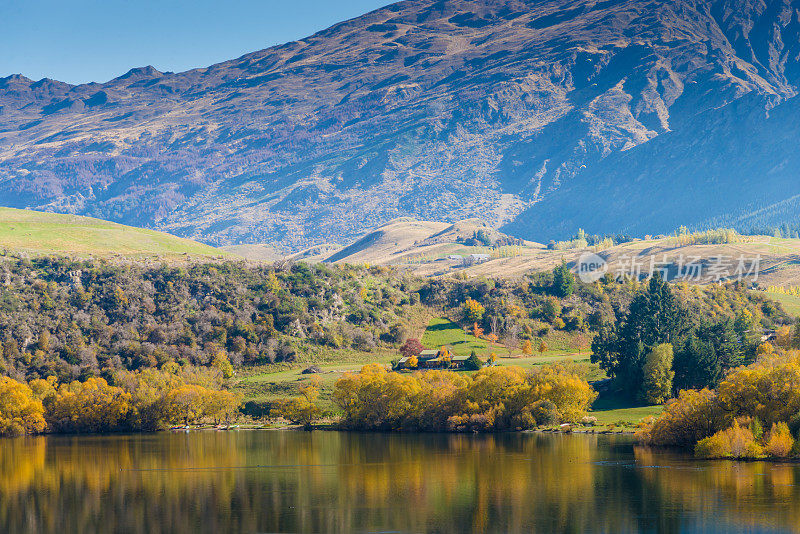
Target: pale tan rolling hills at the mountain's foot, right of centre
x=434, y=250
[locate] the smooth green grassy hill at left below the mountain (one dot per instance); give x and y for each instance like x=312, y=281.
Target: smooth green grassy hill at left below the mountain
x=47, y=233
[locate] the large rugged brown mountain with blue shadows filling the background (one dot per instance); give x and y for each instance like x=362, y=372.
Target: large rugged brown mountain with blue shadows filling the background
x=537, y=116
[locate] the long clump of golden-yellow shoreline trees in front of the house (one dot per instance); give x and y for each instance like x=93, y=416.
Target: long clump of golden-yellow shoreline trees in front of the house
x=492, y=399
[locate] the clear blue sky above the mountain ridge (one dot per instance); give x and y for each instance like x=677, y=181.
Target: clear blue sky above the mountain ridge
x=79, y=41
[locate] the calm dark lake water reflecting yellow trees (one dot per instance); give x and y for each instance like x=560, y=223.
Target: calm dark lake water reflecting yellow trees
x=284, y=481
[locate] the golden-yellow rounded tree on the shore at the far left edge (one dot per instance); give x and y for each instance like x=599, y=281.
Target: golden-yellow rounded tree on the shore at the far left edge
x=21, y=412
